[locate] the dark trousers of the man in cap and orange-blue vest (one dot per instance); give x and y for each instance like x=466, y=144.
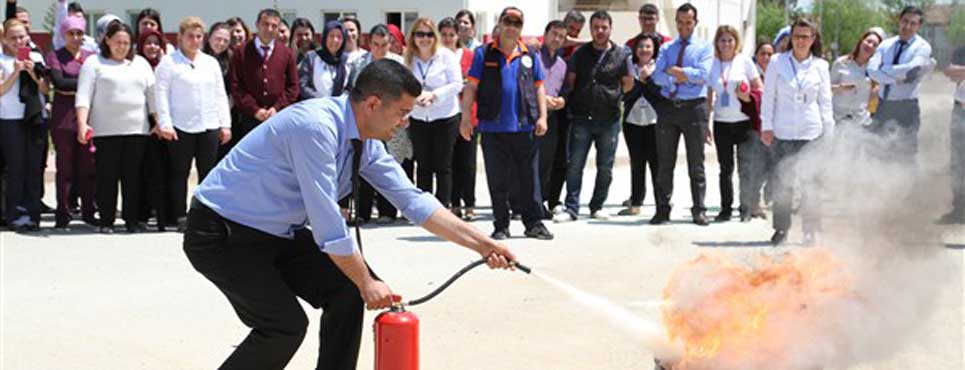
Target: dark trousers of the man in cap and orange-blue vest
x=512, y=162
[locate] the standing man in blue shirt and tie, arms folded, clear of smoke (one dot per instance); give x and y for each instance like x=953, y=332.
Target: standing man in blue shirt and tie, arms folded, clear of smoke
x=682, y=67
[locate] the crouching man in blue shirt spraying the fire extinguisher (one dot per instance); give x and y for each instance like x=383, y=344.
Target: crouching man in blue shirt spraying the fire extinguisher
x=247, y=230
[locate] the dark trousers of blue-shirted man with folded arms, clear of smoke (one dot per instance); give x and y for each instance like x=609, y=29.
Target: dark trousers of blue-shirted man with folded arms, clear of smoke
x=687, y=119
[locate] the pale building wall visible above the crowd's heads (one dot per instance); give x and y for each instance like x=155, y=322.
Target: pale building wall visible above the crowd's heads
x=370, y=12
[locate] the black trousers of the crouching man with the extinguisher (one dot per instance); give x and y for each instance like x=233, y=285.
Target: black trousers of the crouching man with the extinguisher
x=263, y=276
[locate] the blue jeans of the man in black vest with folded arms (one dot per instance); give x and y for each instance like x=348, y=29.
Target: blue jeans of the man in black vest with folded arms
x=583, y=134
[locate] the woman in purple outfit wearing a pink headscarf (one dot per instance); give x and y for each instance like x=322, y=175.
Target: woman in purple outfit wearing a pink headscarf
x=75, y=162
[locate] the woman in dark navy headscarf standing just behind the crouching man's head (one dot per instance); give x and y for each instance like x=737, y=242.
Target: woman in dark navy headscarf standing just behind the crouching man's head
x=324, y=71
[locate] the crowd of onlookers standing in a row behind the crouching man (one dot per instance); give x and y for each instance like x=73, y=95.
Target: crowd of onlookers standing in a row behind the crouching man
x=125, y=106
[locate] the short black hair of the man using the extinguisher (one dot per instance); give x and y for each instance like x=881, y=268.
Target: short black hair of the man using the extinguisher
x=386, y=79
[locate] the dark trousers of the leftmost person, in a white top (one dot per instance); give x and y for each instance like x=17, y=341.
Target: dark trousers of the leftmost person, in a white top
x=22, y=146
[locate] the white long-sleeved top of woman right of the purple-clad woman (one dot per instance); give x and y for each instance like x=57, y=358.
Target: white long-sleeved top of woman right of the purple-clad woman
x=119, y=95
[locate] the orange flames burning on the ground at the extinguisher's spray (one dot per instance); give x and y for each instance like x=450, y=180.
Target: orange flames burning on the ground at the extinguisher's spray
x=729, y=316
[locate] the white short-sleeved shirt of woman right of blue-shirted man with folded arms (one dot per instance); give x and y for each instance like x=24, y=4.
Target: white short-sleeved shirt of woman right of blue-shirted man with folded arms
x=739, y=70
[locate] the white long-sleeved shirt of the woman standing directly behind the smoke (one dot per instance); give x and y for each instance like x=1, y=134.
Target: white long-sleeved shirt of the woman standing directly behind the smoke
x=796, y=104
